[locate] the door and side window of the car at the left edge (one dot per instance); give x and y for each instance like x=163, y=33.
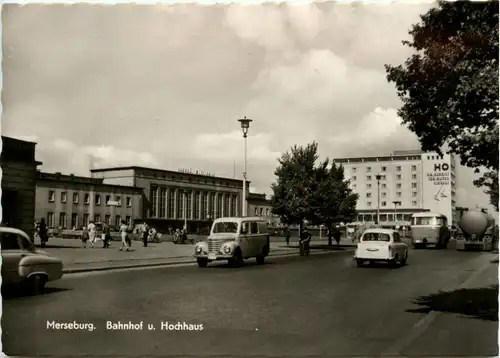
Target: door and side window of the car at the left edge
x=12, y=254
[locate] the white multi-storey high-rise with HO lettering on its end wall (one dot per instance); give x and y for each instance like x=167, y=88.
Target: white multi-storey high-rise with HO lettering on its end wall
x=408, y=182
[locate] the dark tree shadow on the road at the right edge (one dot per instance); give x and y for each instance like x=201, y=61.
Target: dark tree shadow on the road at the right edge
x=480, y=303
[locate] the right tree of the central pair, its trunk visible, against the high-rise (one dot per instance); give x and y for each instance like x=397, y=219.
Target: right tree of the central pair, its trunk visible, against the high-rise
x=334, y=200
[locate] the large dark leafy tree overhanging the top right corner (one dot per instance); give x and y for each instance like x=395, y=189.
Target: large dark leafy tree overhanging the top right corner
x=449, y=86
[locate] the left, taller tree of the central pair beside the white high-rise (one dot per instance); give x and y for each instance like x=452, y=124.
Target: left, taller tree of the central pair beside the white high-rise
x=294, y=188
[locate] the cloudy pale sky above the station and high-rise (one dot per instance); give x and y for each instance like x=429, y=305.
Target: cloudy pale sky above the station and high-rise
x=163, y=86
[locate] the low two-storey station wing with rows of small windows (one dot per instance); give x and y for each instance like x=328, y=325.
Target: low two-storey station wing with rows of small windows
x=69, y=201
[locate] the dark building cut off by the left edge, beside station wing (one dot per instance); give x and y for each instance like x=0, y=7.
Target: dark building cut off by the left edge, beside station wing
x=19, y=169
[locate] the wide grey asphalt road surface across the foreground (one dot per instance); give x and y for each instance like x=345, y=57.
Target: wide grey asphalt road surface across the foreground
x=321, y=305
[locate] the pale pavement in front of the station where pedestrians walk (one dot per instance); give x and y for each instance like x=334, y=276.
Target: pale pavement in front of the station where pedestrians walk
x=78, y=259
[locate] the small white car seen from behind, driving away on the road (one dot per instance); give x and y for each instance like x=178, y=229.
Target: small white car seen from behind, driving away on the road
x=381, y=245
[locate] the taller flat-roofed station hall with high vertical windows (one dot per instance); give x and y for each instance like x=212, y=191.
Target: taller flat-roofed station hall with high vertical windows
x=172, y=198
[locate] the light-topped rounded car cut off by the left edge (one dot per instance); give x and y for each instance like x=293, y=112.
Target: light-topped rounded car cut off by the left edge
x=23, y=264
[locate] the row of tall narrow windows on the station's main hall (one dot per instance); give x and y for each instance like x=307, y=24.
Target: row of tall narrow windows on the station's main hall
x=178, y=203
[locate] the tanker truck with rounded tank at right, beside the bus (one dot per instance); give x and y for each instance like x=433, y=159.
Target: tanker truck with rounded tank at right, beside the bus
x=475, y=231
